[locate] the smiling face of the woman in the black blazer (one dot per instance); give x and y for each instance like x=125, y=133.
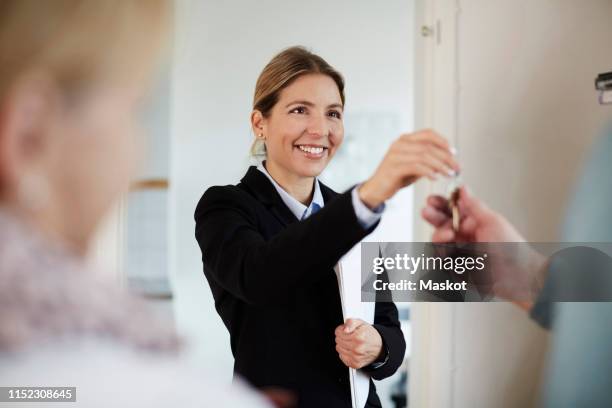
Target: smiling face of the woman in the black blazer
x=305, y=128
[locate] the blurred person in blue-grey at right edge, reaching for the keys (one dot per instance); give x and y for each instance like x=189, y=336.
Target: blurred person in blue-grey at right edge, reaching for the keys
x=579, y=372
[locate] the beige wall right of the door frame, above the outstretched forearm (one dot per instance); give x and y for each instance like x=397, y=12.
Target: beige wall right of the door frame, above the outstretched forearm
x=528, y=105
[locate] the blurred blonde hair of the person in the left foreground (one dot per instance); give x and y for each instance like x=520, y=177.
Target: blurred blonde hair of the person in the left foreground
x=76, y=41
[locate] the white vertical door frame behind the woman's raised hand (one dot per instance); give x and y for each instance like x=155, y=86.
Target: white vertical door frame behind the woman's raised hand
x=432, y=365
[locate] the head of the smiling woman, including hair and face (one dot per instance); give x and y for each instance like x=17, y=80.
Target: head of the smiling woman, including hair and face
x=314, y=100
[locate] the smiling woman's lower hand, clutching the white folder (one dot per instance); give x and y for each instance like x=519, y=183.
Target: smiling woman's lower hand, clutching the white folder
x=358, y=343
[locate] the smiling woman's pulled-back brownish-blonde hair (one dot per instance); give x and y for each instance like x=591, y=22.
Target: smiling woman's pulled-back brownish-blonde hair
x=279, y=73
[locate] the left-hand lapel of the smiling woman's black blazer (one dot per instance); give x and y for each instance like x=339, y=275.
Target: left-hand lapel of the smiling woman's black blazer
x=262, y=189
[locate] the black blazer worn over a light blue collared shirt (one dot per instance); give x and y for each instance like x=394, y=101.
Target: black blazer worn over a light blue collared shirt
x=275, y=289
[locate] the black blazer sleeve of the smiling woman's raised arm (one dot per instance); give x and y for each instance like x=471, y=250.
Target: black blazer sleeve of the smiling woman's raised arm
x=260, y=271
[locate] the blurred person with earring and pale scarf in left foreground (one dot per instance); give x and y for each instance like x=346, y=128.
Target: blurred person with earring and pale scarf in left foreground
x=73, y=74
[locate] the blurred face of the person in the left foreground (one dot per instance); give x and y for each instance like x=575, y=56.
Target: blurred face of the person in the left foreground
x=99, y=146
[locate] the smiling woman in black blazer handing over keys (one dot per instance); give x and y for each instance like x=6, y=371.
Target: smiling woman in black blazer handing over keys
x=270, y=243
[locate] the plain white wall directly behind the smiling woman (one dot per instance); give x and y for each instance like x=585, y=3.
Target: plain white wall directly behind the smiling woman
x=220, y=49
